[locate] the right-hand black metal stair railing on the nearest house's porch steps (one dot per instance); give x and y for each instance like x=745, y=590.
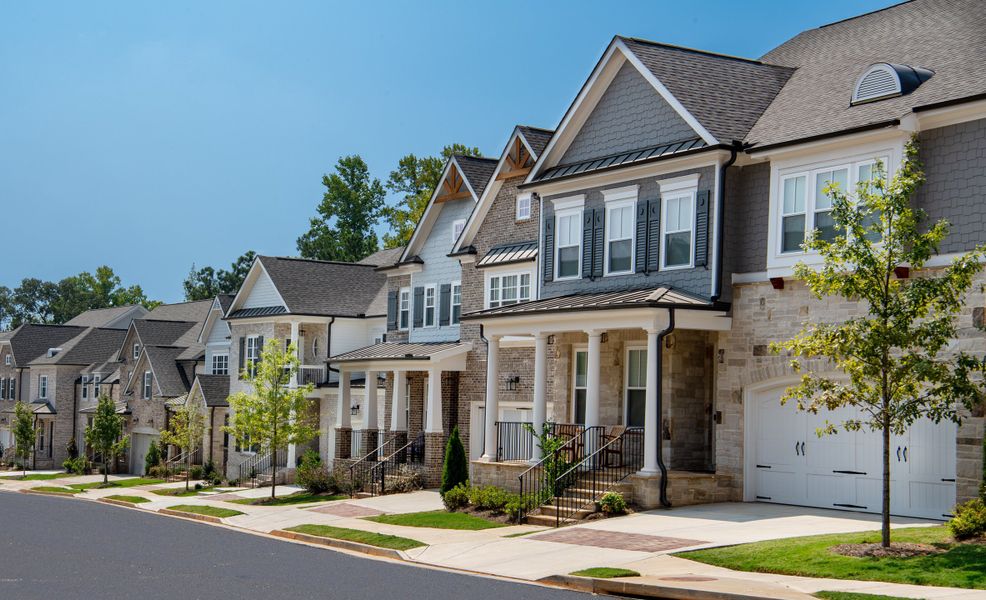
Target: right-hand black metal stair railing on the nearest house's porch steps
x=584, y=483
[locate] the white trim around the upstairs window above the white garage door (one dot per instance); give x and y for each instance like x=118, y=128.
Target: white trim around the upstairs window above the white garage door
x=781, y=263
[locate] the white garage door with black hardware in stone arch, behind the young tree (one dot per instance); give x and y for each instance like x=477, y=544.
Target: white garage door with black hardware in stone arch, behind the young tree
x=842, y=471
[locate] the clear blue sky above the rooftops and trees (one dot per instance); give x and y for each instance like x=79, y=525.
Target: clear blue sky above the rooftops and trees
x=148, y=136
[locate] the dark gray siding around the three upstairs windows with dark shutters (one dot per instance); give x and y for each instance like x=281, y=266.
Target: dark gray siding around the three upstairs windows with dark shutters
x=696, y=281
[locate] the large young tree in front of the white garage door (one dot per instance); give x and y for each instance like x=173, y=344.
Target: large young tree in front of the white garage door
x=894, y=355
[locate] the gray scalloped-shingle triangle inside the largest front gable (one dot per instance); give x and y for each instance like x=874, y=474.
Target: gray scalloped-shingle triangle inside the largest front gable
x=630, y=115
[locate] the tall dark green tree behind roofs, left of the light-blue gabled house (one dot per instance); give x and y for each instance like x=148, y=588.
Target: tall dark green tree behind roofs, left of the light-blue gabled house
x=350, y=208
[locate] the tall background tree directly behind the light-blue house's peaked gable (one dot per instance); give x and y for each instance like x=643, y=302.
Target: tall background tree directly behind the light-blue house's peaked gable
x=416, y=179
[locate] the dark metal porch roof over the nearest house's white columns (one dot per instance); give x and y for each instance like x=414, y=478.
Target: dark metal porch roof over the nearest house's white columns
x=660, y=297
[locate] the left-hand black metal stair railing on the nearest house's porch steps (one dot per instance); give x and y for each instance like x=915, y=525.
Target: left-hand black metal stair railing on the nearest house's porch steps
x=537, y=485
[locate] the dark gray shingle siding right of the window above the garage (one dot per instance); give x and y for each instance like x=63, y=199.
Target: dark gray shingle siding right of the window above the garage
x=954, y=160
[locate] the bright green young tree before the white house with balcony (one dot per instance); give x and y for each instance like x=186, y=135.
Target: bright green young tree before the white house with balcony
x=273, y=415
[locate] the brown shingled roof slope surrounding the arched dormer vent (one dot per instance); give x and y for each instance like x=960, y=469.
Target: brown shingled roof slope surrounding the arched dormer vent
x=945, y=36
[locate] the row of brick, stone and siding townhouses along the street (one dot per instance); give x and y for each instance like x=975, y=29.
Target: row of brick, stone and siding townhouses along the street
x=620, y=277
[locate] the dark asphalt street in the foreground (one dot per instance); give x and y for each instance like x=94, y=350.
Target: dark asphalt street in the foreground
x=63, y=548
